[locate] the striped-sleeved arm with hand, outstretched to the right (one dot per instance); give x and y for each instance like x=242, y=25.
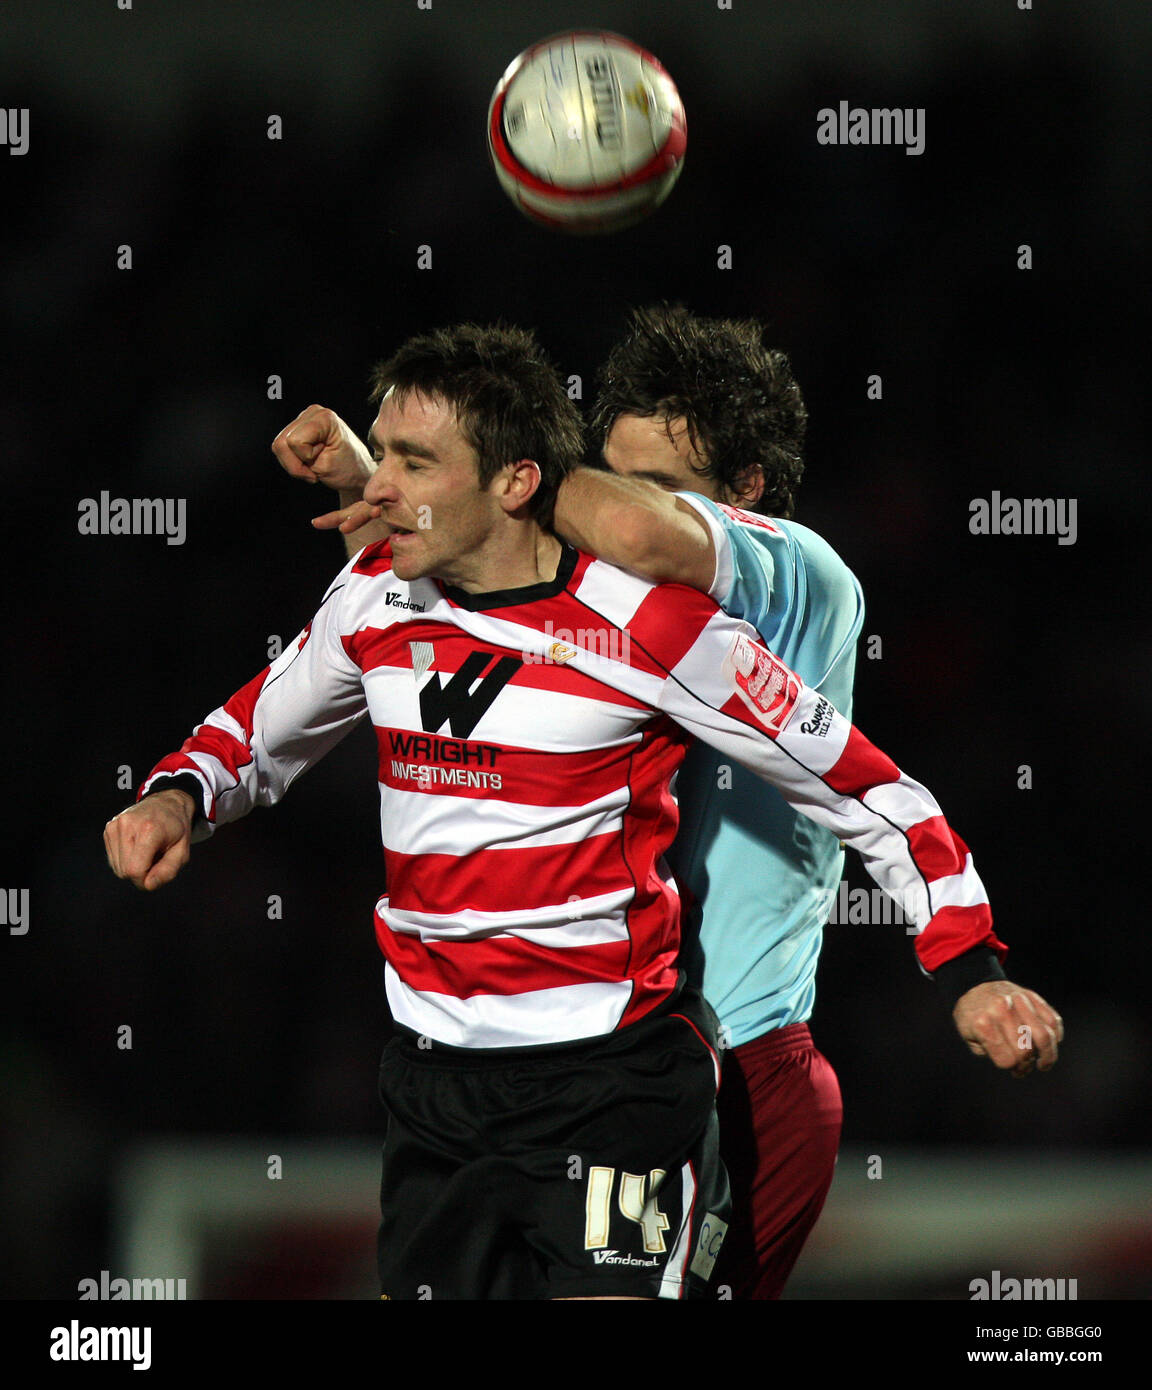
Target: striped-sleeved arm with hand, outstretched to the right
x=737, y=696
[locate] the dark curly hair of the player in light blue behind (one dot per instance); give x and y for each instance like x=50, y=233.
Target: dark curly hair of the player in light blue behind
x=739, y=398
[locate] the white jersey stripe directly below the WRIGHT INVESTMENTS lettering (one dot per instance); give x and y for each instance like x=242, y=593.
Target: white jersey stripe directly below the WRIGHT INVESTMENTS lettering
x=419, y=822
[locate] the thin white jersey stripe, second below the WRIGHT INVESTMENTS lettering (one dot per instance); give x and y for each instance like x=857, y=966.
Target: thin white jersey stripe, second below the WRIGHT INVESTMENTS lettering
x=598, y=921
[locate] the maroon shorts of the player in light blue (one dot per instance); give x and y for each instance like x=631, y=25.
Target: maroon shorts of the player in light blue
x=780, y=1121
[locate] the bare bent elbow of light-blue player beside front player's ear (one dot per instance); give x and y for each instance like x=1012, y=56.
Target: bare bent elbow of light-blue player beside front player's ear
x=637, y=526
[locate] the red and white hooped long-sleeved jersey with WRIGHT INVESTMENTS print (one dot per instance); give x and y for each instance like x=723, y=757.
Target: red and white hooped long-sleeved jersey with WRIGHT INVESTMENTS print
x=527, y=742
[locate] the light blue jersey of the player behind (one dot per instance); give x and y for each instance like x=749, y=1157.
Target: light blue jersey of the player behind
x=764, y=876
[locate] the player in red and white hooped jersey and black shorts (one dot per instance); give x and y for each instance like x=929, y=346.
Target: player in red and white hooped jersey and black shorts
x=551, y=1084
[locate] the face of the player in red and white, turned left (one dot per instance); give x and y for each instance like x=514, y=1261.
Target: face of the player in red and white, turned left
x=429, y=489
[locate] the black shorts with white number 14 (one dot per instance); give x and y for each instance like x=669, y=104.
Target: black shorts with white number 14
x=555, y=1172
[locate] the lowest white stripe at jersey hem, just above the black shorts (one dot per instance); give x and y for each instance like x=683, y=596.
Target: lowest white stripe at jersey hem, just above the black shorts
x=565, y=1015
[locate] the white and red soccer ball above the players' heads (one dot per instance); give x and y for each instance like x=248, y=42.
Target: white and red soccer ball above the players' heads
x=587, y=133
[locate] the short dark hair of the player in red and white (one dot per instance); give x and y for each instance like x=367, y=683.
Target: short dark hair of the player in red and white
x=508, y=397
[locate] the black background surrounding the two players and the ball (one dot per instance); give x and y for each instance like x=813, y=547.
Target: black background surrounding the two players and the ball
x=298, y=259
